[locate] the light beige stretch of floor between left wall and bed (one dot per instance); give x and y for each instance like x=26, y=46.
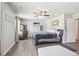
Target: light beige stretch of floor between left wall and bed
x=24, y=48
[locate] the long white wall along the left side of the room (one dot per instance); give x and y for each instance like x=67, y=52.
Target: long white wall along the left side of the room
x=8, y=29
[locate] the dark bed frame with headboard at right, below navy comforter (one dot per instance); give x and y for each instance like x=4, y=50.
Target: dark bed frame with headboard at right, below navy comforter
x=54, y=39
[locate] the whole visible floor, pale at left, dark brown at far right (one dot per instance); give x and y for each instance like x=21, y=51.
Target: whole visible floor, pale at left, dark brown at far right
x=27, y=48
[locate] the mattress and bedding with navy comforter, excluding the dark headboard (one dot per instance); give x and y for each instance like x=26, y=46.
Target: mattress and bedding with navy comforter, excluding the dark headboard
x=45, y=36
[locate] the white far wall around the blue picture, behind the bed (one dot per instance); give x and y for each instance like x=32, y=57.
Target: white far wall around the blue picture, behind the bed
x=31, y=28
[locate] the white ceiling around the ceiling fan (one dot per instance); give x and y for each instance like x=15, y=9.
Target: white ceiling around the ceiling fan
x=26, y=9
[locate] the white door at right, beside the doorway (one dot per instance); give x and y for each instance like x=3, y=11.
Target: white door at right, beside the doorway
x=70, y=30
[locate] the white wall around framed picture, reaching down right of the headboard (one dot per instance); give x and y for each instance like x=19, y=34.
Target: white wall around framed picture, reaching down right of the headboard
x=61, y=25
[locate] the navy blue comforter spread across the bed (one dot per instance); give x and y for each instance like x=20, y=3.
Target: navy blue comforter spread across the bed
x=44, y=35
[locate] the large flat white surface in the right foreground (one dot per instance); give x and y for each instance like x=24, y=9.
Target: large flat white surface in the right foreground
x=56, y=50
